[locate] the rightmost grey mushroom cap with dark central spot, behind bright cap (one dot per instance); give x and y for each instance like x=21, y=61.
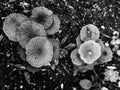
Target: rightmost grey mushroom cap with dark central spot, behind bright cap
x=106, y=55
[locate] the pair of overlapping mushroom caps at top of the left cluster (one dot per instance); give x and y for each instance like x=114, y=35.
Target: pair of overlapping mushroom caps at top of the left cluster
x=45, y=17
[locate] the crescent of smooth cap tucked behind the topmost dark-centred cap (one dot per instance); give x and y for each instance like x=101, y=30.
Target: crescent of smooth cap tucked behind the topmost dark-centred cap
x=55, y=26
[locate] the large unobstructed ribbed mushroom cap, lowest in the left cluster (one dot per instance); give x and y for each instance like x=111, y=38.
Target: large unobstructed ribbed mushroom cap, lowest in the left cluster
x=39, y=52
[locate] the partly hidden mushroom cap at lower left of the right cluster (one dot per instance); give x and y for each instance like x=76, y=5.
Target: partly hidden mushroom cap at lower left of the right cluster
x=75, y=57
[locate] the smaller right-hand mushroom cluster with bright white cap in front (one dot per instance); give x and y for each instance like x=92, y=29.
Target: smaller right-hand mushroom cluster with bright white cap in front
x=90, y=48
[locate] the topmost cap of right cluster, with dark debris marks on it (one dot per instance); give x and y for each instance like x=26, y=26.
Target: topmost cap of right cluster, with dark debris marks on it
x=89, y=32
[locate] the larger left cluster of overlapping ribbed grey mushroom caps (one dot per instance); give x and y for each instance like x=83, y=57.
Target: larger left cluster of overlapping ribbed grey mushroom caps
x=32, y=35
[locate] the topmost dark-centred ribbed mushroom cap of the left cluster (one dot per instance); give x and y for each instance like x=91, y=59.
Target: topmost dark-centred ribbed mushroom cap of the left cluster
x=43, y=16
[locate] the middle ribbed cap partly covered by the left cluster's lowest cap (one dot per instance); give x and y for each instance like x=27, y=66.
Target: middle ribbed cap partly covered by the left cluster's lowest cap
x=29, y=30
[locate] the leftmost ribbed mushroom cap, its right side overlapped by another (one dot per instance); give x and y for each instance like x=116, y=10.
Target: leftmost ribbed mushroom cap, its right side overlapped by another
x=11, y=23
